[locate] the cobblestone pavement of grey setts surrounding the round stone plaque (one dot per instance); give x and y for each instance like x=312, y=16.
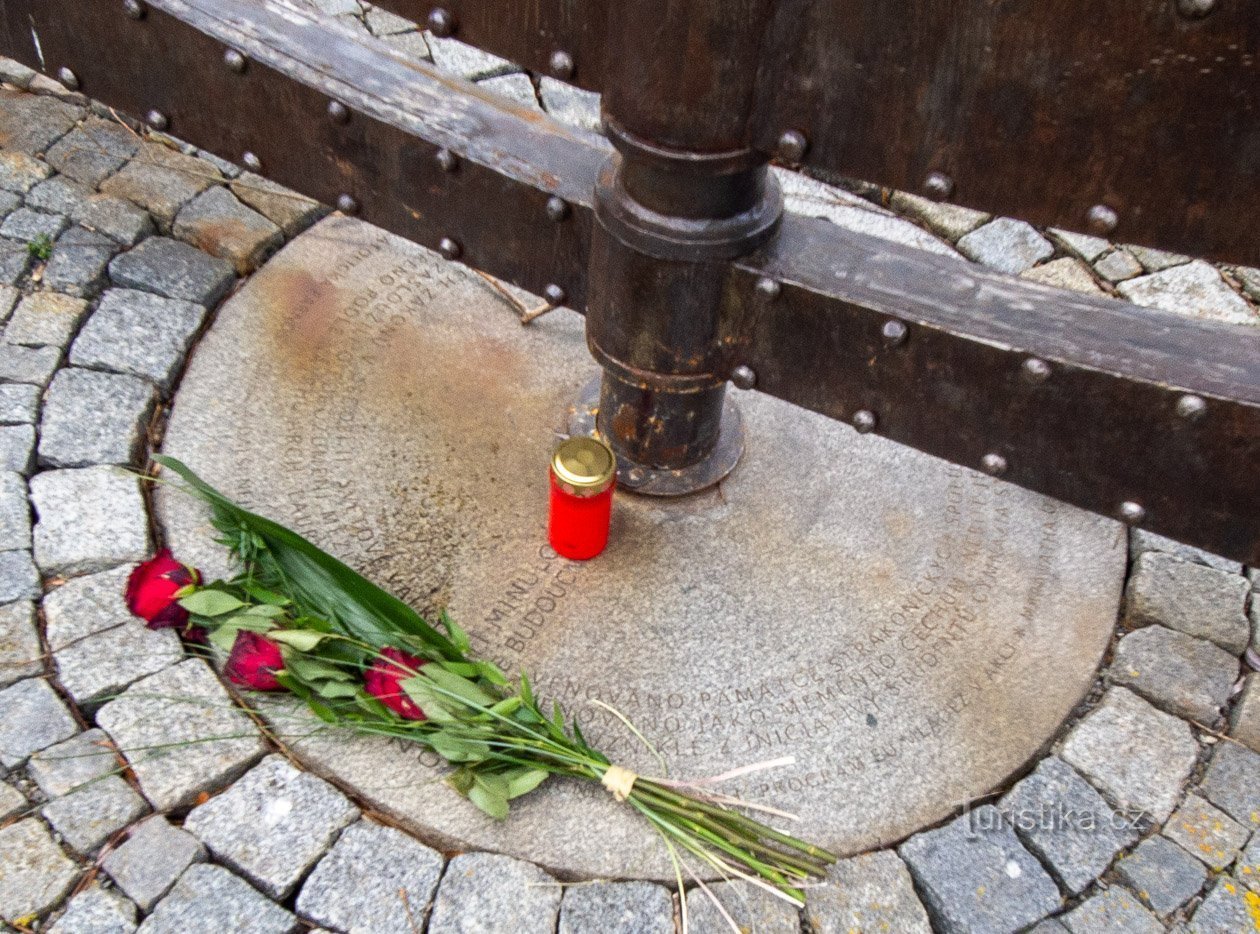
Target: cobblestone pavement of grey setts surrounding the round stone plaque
x=115, y=251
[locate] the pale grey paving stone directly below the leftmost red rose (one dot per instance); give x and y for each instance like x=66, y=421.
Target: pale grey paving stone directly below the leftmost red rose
x=96, y=669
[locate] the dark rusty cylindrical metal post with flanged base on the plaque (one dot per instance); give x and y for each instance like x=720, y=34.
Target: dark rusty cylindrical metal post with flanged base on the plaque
x=682, y=196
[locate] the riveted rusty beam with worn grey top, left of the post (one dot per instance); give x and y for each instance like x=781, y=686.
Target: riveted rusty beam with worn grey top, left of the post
x=384, y=152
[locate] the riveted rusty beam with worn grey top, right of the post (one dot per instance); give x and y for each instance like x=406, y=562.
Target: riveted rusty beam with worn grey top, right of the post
x=1082, y=399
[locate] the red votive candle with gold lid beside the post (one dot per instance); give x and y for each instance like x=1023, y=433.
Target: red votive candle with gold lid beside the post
x=583, y=476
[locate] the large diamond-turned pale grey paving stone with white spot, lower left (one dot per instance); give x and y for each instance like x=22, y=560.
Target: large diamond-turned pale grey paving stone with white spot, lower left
x=273, y=825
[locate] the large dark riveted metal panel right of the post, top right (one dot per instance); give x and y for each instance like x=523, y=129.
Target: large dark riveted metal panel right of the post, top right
x=1034, y=110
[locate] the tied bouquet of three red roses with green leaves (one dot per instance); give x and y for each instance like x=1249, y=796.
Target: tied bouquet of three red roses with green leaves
x=297, y=620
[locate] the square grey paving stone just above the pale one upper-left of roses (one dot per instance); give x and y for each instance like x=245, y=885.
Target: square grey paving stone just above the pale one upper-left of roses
x=93, y=418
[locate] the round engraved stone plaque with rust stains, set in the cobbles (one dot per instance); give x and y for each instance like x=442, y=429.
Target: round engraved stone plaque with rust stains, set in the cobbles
x=913, y=633
